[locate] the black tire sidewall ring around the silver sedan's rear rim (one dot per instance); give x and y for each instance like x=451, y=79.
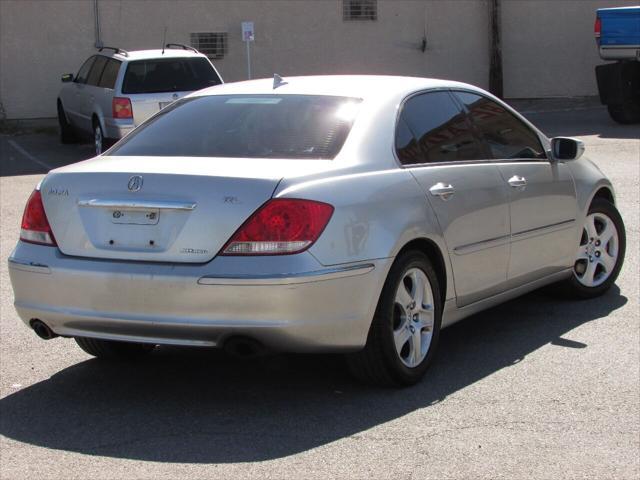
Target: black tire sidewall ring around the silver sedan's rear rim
x=398, y=370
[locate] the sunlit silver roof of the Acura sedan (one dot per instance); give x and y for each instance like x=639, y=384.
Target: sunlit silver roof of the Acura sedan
x=366, y=87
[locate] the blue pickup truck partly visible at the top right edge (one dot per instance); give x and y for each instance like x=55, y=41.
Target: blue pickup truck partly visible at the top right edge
x=617, y=32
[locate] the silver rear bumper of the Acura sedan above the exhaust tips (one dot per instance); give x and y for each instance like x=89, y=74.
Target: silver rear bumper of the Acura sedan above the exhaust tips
x=293, y=304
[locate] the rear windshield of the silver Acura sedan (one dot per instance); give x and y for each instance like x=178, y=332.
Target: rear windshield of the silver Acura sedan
x=245, y=126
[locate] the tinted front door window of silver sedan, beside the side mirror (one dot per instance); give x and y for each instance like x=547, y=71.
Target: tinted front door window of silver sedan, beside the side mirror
x=506, y=136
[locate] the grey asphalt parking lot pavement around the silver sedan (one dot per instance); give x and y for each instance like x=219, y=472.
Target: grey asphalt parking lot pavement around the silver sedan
x=535, y=388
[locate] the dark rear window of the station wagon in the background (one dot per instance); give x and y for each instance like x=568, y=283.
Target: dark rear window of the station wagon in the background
x=169, y=75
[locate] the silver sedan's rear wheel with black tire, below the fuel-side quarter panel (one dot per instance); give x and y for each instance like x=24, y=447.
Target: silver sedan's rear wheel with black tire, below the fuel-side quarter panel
x=381, y=362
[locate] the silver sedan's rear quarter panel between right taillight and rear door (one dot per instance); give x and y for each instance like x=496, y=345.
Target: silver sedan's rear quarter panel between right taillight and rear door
x=376, y=214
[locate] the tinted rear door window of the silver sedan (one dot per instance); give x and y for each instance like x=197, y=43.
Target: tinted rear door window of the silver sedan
x=441, y=128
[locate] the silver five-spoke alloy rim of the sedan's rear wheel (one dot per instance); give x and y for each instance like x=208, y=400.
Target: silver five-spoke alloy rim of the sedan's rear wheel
x=413, y=318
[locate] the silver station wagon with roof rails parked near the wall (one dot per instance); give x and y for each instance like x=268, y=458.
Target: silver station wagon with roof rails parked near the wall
x=114, y=91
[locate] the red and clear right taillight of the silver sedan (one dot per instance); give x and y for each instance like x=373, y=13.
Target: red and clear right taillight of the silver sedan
x=281, y=226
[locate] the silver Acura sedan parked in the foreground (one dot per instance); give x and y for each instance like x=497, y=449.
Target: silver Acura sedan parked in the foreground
x=355, y=214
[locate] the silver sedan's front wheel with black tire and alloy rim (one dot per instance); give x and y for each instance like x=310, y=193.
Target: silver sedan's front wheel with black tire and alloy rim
x=598, y=258
